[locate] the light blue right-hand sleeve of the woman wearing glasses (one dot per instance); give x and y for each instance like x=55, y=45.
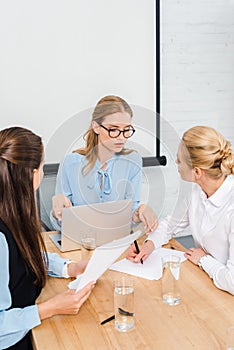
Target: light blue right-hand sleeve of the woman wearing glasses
x=135, y=178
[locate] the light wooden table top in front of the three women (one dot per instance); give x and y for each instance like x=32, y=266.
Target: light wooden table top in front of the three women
x=199, y=322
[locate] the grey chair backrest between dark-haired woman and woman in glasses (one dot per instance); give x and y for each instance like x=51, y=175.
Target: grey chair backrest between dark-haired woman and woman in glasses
x=45, y=193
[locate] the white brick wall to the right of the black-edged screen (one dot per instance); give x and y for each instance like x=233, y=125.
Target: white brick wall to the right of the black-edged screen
x=197, y=82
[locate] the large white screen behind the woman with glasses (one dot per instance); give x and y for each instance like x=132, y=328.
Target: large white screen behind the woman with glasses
x=58, y=58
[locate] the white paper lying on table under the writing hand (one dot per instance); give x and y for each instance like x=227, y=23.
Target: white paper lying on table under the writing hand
x=151, y=268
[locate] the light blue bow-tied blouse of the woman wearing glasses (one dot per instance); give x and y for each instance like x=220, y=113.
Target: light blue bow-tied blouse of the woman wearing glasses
x=121, y=179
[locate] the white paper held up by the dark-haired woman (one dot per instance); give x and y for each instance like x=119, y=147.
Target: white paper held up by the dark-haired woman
x=101, y=259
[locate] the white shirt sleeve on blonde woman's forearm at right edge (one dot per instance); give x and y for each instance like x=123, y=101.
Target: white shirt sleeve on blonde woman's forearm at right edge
x=223, y=275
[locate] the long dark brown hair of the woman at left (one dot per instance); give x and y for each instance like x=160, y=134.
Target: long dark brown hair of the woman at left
x=21, y=152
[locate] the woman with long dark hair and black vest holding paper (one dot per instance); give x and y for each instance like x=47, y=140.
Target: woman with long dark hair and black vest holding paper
x=23, y=266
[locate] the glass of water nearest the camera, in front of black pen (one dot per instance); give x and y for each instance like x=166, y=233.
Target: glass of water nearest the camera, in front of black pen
x=124, y=304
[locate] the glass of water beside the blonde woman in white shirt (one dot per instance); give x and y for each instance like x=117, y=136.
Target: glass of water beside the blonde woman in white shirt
x=170, y=279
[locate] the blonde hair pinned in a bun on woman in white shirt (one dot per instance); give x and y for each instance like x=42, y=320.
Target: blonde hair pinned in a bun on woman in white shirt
x=209, y=150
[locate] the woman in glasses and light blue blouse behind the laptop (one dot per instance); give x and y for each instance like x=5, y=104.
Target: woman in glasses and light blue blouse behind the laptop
x=104, y=170
